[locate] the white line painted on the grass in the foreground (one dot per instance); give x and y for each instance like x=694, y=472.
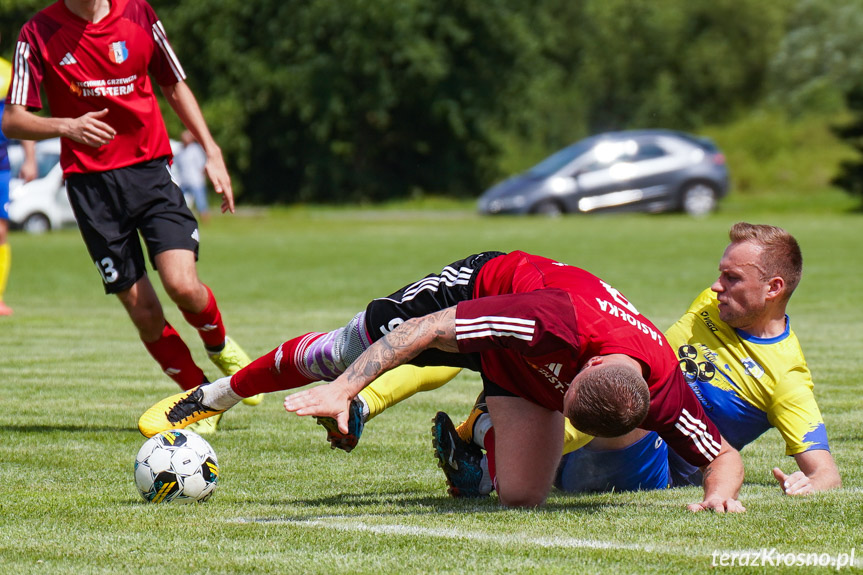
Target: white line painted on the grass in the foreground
x=449, y=533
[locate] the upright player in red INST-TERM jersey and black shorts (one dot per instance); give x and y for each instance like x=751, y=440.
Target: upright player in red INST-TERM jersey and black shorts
x=94, y=59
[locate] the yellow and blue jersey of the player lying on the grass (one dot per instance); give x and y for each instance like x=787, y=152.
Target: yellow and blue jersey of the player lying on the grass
x=745, y=383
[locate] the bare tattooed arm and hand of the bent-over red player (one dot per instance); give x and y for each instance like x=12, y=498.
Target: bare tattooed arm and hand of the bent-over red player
x=436, y=330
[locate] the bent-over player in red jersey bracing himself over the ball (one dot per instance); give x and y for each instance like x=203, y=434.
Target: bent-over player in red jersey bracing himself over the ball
x=549, y=340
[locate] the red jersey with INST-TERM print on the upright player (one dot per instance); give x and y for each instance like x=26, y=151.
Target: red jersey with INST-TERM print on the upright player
x=87, y=67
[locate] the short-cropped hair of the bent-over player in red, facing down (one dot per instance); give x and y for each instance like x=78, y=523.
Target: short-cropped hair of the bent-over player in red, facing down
x=608, y=401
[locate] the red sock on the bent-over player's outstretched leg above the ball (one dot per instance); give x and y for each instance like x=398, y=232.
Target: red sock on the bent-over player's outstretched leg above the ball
x=280, y=369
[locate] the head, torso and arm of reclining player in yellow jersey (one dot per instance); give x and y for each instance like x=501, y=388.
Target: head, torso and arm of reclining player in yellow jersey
x=743, y=360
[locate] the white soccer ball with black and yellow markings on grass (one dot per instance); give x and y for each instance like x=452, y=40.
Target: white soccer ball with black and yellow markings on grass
x=176, y=465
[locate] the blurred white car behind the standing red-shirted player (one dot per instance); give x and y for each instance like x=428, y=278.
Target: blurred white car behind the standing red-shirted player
x=40, y=205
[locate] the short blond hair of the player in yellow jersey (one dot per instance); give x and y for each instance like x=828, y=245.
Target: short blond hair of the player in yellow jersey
x=780, y=252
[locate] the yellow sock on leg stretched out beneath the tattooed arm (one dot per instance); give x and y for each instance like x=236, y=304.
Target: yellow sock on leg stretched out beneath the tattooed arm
x=401, y=383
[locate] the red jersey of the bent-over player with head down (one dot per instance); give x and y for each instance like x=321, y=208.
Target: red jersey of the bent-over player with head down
x=535, y=322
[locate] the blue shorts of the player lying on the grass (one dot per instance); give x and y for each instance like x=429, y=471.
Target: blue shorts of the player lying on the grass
x=640, y=467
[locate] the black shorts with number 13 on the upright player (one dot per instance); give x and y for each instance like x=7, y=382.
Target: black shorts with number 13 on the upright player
x=112, y=207
